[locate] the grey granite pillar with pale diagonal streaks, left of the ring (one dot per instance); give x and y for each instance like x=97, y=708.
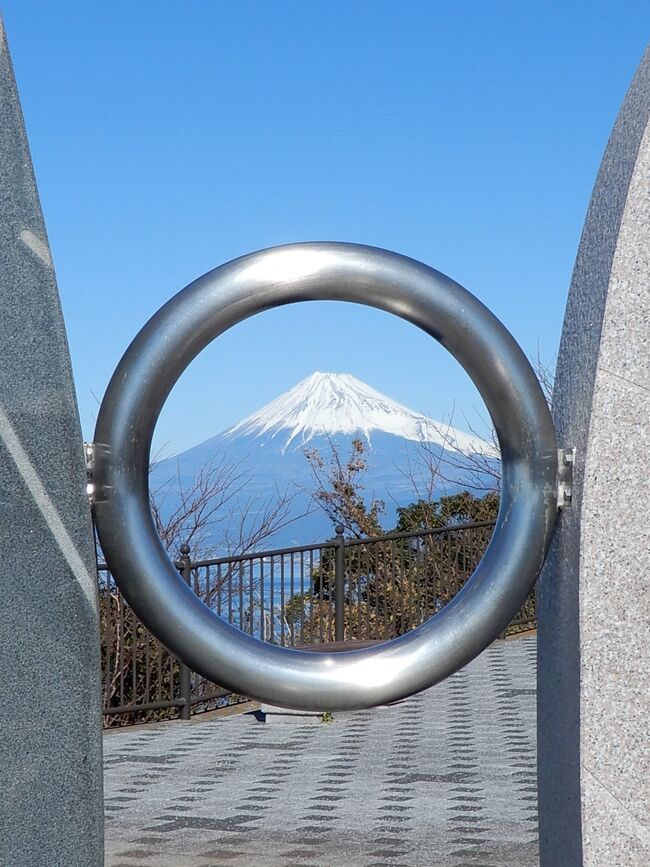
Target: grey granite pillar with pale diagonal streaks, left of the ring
x=50, y=727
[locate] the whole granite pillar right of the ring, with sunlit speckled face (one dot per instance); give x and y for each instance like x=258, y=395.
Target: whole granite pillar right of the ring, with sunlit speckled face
x=593, y=597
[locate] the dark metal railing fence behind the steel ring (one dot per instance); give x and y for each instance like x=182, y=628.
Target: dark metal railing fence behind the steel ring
x=371, y=589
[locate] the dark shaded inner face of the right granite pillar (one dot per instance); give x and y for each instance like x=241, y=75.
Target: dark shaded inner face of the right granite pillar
x=558, y=601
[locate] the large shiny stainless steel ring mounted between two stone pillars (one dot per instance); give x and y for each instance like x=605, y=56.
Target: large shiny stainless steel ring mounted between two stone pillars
x=308, y=272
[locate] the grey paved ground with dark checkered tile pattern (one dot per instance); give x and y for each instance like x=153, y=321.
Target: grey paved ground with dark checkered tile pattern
x=445, y=778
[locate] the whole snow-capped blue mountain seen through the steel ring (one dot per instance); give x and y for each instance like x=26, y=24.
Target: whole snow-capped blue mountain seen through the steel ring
x=324, y=411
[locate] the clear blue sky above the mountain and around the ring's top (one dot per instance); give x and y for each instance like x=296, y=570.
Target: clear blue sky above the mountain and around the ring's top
x=170, y=137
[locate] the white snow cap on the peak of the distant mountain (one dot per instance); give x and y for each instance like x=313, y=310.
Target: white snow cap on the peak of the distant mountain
x=339, y=403
